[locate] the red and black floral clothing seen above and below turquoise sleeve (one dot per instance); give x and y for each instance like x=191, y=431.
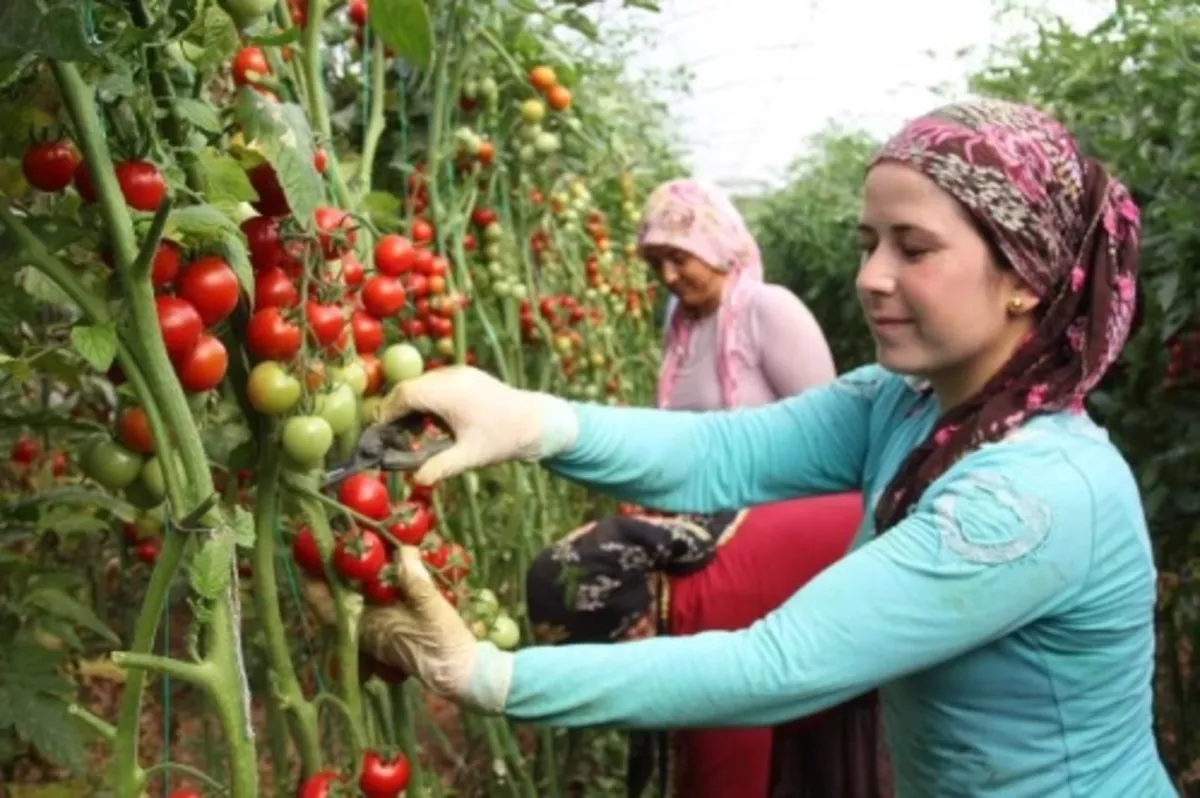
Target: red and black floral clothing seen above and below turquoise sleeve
x=633, y=578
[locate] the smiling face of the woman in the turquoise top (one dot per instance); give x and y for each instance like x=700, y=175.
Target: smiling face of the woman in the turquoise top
x=937, y=302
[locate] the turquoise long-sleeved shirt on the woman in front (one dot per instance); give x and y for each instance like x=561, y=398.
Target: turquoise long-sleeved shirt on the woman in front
x=1009, y=621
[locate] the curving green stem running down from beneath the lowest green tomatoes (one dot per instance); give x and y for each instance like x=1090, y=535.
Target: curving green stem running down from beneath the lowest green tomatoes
x=301, y=715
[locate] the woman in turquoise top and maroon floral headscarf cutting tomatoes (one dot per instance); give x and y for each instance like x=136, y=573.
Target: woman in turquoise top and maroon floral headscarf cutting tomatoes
x=1004, y=603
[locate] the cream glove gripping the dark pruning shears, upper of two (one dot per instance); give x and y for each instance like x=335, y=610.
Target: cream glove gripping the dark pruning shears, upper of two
x=493, y=423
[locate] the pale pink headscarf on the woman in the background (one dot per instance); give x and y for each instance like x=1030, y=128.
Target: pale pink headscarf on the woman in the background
x=699, y=219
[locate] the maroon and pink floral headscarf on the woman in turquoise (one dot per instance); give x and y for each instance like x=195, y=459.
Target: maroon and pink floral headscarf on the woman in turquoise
x=1067, y=227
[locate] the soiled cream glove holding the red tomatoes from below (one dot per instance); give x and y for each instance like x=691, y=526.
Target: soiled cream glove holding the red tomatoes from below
x=427, y=638
